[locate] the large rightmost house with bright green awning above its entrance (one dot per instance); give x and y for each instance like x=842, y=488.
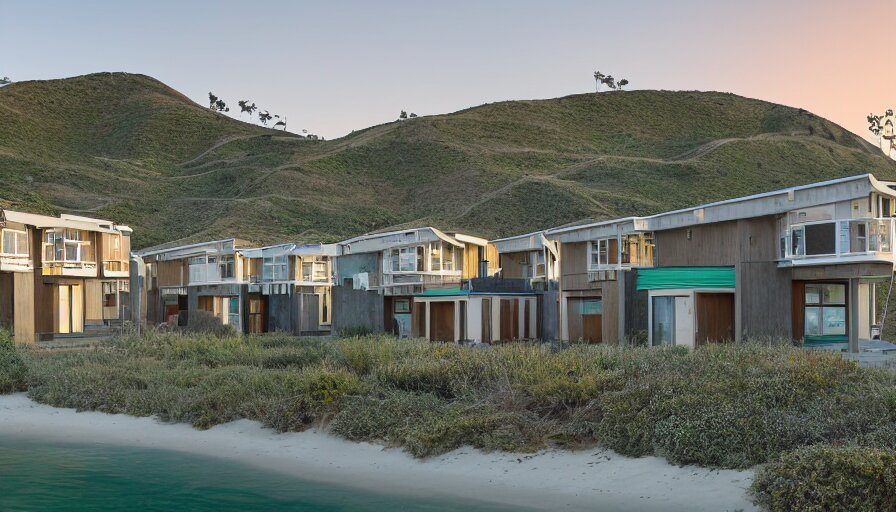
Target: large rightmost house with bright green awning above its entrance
x=802, y=262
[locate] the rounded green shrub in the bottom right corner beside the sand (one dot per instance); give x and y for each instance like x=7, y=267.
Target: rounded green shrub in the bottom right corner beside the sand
x=829, y=478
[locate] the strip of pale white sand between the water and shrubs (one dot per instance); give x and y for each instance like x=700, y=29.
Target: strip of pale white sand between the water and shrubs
x=553, y=479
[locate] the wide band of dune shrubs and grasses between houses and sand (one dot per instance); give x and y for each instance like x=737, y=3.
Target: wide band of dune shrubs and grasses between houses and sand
x=726, y=406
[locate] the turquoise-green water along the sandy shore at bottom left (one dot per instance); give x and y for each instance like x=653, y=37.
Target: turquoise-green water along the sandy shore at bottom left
x=42, y=476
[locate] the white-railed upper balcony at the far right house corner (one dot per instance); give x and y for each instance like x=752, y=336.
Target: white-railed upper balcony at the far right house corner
x=839, y=241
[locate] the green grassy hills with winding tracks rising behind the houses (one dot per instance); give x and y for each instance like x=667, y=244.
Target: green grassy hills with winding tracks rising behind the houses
x=129, y=148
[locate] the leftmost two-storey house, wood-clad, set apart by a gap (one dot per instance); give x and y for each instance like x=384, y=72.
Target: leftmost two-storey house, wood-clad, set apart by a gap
x=62, y=276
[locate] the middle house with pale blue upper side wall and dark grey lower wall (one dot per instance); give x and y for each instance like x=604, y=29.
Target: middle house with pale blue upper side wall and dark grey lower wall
x=384, y=281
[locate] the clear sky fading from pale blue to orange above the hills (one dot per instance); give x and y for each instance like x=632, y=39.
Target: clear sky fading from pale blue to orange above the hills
x=335, y=66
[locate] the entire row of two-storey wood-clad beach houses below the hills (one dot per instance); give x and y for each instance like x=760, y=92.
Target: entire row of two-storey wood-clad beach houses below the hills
x=804, y=263
